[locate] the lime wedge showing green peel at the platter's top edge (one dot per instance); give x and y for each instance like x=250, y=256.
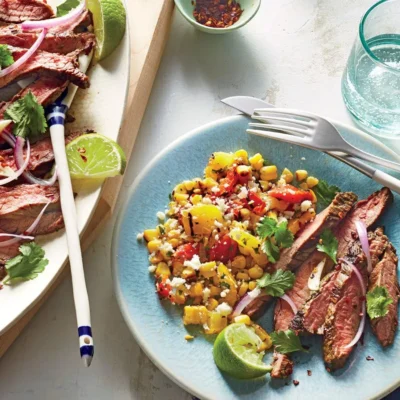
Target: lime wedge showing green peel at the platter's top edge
x=109, y=19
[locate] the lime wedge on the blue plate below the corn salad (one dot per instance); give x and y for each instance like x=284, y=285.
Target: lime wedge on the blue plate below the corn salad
x=235, y=352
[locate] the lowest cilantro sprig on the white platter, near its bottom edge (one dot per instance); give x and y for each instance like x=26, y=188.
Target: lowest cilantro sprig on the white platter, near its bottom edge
x=26, y=265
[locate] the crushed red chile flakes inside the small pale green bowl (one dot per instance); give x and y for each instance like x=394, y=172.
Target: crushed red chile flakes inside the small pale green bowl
x=217, y=13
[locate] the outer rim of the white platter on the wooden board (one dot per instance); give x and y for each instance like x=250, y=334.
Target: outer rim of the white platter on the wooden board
x=40, y=296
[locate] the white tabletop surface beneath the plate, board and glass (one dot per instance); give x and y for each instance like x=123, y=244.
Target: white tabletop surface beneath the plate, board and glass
x=292, y=54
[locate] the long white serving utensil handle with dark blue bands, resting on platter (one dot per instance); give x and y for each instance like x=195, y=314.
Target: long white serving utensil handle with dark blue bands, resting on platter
x=55, y=115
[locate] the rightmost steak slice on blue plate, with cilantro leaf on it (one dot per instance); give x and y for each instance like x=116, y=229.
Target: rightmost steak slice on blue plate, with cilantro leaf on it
x=385, y=274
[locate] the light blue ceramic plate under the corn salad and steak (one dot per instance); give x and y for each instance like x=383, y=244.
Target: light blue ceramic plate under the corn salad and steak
x=158, y=327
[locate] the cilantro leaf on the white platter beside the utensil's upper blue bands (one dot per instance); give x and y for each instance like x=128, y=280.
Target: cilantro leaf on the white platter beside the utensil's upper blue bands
x=28, y=116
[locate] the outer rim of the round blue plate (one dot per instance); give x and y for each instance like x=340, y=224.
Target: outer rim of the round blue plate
x=116, y=234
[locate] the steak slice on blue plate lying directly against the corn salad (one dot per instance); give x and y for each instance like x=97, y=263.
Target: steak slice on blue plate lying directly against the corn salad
x=305, y=243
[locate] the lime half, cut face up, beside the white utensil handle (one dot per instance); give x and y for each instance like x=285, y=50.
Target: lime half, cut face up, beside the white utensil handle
x=95, y=156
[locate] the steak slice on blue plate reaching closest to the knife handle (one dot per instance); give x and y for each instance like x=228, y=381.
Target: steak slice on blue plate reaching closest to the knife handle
x=368, y=211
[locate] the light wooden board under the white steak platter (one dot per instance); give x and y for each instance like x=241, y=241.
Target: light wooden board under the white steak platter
x=149, y=22
